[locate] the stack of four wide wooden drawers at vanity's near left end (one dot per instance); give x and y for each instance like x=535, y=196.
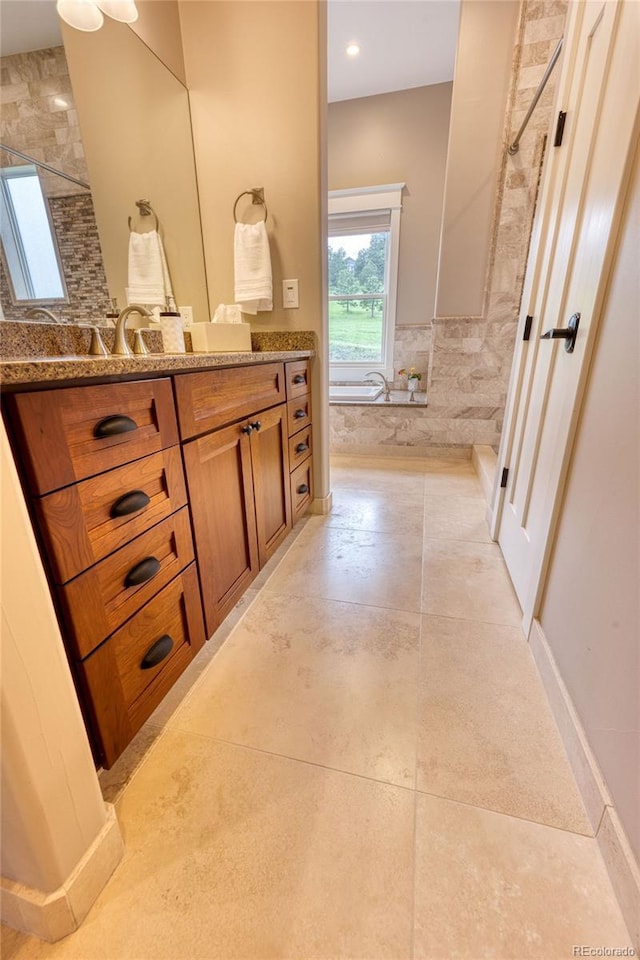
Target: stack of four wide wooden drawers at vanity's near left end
x=104, y=470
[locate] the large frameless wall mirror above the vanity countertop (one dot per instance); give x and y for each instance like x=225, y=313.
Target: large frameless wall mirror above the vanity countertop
x=105, y=110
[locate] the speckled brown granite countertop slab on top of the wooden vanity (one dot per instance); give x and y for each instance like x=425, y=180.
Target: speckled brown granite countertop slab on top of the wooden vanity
x=15, y=371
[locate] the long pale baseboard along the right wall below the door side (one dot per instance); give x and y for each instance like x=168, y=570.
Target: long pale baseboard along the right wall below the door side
x=615, y=849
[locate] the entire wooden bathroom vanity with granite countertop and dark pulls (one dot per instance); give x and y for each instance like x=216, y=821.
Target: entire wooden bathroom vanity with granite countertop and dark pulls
x=157, y=491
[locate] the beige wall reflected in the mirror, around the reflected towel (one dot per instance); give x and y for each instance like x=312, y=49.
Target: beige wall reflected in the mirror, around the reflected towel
x=135, y=124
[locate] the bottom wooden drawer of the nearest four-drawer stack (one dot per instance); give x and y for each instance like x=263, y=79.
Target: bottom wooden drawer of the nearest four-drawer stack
x=121, y=693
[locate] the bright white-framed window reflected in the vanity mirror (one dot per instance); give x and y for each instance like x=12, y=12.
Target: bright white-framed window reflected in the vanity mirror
x=27, y=237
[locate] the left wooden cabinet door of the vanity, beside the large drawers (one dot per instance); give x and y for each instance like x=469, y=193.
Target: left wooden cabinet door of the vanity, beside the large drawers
x=218, y=469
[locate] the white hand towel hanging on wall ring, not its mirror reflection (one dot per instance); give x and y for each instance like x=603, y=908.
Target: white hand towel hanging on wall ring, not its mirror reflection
x=252, y=267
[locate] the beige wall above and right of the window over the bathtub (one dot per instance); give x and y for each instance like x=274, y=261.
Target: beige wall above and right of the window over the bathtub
x=392, y=138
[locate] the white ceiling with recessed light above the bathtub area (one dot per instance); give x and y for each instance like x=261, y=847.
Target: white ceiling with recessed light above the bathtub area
x=404, y=43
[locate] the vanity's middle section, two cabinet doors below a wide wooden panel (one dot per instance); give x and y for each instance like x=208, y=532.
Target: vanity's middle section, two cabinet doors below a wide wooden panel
x=238, y=484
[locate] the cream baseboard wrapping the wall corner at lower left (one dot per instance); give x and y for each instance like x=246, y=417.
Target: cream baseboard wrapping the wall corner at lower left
x=51, y=916
